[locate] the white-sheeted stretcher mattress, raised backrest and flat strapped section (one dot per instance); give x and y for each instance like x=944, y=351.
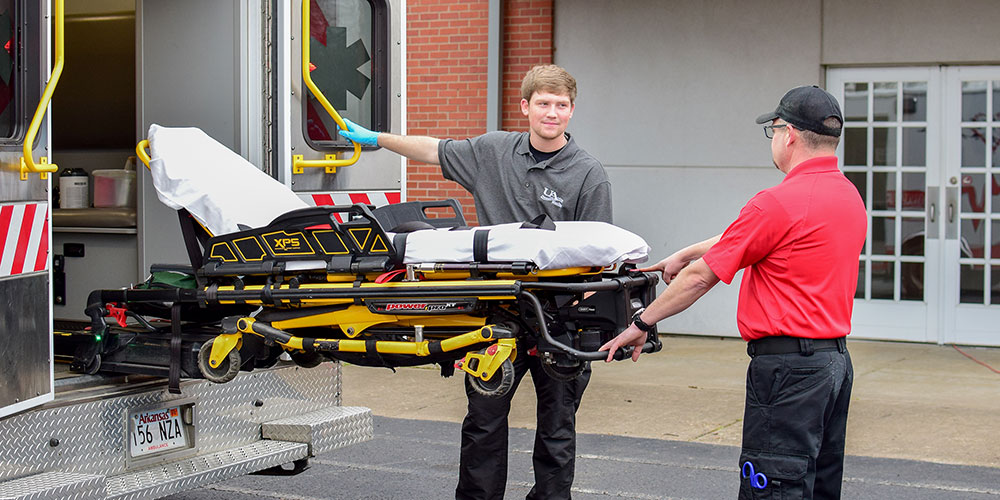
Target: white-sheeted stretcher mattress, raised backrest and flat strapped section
x=223, y=192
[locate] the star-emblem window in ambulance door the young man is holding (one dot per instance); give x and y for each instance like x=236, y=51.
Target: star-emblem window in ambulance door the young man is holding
x=340, y=55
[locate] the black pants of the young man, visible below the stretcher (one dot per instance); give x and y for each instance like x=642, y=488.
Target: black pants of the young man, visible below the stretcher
x=483, y=468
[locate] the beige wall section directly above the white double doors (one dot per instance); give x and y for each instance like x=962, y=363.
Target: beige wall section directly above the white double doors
x=913, y=32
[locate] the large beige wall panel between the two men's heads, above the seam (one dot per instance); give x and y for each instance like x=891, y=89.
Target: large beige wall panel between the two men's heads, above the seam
x=669, y=82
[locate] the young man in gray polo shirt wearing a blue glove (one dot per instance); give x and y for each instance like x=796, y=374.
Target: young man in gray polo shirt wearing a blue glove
x=513, y=177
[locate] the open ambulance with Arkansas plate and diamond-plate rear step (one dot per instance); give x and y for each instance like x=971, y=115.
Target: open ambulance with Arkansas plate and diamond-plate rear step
x=81, y=83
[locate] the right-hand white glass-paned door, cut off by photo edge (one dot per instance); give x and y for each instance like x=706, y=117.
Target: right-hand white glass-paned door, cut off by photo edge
x=972, y=197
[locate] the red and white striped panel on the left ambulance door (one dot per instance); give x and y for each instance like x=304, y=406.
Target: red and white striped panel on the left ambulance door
x=24, y=238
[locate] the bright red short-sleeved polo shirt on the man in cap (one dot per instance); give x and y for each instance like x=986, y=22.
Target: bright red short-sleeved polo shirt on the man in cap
x=801, y=240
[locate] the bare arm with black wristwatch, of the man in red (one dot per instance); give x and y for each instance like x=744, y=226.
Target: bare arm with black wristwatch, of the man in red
x=691, y=283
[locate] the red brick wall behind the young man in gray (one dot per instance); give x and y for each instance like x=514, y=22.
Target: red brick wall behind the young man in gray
x=446, y=82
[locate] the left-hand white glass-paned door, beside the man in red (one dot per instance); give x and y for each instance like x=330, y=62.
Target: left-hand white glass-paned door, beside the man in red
x=890, y=150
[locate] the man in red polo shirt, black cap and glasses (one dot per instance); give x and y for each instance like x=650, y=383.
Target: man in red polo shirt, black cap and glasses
x=800, y=242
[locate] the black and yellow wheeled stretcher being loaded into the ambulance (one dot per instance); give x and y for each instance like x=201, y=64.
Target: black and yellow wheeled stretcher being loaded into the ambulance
x=354, y=283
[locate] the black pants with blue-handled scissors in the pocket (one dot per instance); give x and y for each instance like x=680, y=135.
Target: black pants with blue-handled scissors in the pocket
x=794, y=425
